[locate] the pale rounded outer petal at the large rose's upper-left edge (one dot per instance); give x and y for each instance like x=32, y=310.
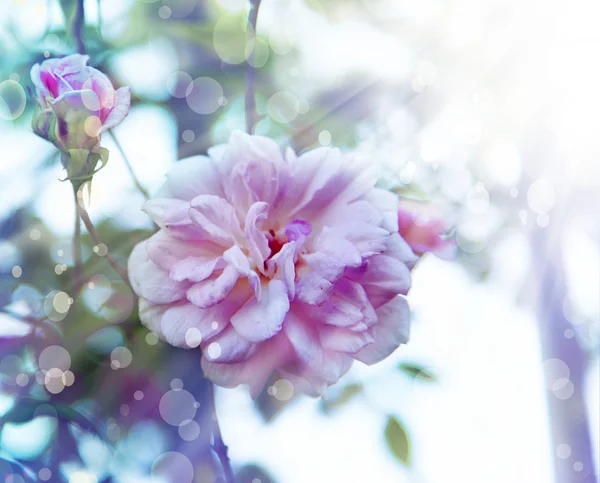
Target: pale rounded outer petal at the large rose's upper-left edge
x=194, y=176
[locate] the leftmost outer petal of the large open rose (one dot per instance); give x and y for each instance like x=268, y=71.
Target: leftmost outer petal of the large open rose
x=150, y=281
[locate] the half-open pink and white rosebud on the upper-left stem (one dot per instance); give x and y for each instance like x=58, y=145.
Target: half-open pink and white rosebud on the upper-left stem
x=76, y=103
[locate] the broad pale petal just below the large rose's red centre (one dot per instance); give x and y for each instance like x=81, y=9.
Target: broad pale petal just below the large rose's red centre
x=257, y=320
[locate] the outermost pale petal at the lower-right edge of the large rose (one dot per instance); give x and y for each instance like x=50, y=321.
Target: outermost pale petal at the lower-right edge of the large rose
x=391, y=330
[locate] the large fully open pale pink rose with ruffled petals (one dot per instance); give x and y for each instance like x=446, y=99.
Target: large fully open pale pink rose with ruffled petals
x=272, y=261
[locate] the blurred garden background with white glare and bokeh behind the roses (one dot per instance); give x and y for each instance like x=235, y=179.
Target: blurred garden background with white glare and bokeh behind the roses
x=483, y=111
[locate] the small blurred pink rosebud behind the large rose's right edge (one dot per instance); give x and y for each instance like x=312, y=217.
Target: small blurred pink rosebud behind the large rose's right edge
x=424, y=233
